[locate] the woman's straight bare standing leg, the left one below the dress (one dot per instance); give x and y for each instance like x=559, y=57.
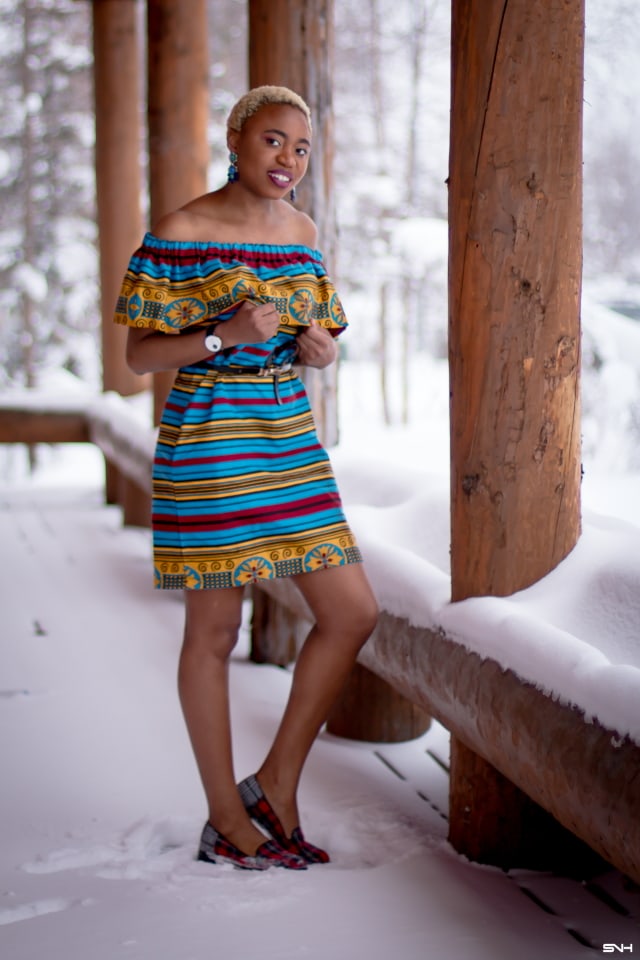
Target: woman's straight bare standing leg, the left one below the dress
x=212, y=621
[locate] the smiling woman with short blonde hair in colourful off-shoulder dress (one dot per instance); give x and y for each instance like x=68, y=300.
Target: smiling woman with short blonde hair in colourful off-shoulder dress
x=242, y=489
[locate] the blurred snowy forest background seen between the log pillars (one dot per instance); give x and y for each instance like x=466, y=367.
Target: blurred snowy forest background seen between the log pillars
x=392, y=124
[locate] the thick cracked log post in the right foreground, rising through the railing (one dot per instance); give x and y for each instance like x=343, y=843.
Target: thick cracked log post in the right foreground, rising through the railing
x=514, y=348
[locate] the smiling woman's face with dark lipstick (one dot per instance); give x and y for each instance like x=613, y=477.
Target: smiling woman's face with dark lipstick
x=273, y=150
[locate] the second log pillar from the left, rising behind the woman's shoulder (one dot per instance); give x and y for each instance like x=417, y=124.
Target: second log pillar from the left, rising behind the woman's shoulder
x=177, y=117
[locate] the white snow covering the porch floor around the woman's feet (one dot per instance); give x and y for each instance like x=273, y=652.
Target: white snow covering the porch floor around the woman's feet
x=101, y=805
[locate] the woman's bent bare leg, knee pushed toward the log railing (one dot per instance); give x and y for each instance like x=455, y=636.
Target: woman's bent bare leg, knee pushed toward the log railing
x=345, y=612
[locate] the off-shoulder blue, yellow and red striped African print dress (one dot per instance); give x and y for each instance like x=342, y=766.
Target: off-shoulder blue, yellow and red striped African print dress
x=242, y=488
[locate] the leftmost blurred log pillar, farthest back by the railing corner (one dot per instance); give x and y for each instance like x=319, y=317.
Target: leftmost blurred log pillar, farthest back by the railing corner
x=117, y=94
